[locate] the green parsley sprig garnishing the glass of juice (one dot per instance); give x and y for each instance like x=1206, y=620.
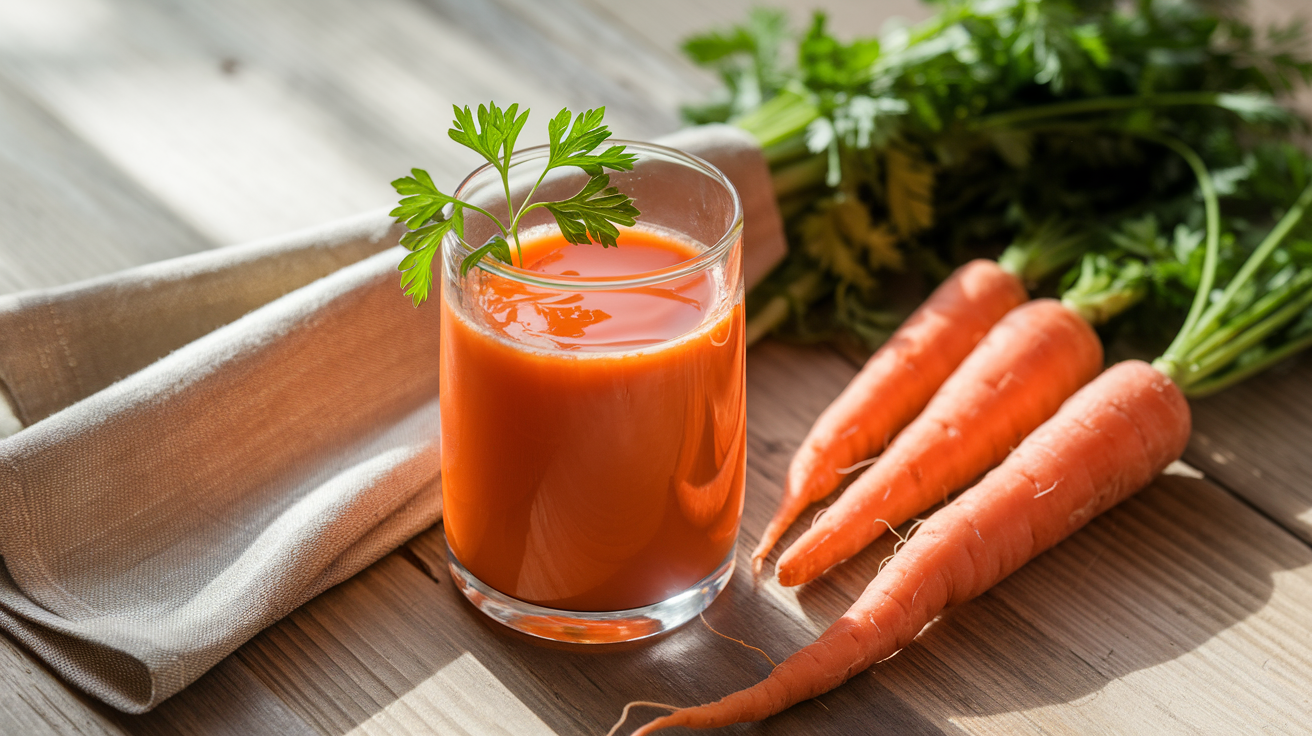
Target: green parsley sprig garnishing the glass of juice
x=591, y=216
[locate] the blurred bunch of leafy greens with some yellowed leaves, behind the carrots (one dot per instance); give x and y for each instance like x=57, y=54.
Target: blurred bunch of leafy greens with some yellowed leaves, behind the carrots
x=989, y=124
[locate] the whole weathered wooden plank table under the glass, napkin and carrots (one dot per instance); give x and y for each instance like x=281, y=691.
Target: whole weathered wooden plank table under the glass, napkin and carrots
x=134, y=131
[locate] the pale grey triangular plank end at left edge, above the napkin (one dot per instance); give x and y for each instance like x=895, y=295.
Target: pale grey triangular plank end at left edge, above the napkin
x=68, y=213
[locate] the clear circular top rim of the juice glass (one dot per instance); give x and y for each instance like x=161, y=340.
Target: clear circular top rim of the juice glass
x=688, y=267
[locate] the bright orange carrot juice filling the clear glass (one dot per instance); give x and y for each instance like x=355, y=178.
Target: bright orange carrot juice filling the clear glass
x=594, y=441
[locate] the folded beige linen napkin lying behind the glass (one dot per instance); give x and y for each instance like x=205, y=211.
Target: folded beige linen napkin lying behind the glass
x=212, y=441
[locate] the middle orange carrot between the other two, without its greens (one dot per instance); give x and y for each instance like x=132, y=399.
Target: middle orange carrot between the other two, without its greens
x=1015, y=380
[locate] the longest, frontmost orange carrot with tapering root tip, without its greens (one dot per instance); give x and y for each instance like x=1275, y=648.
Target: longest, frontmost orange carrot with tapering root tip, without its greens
x=1109, y=440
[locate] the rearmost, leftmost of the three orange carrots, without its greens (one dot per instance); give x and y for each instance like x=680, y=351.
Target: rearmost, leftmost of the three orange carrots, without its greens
x=894, y=386
